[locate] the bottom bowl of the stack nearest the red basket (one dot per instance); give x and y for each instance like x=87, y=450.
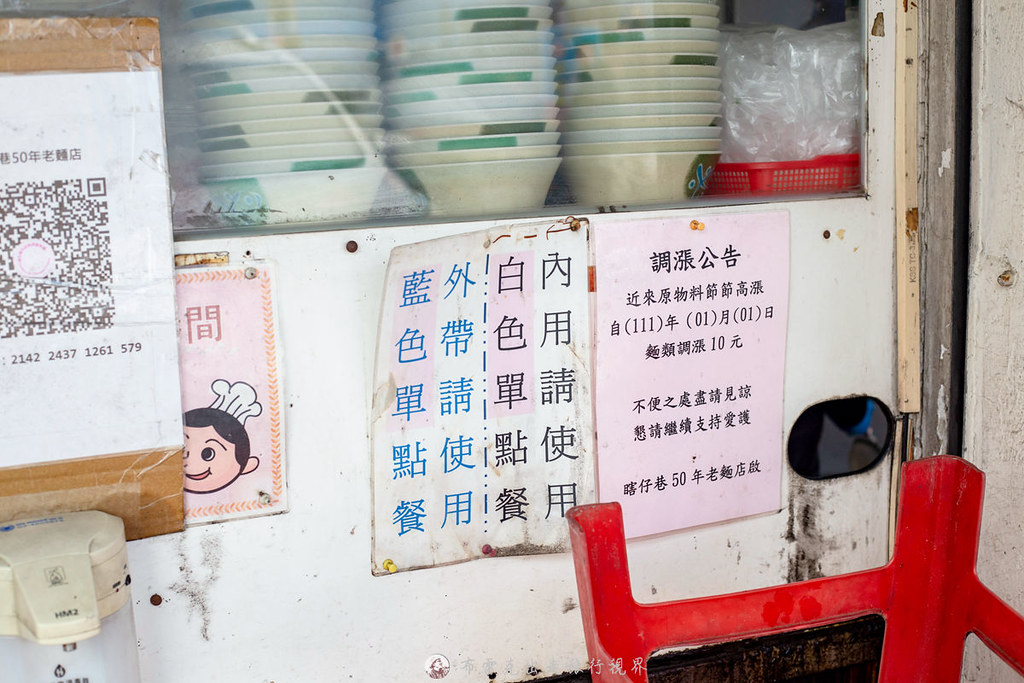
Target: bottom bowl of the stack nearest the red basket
x=639, y=179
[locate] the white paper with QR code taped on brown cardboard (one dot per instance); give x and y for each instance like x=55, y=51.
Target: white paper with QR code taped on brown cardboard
x=89, y=357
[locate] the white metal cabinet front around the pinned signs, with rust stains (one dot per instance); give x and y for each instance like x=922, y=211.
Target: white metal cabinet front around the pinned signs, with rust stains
x=291, y=597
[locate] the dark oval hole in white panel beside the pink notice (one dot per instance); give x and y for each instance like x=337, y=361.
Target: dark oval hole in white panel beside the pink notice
x=840, y=437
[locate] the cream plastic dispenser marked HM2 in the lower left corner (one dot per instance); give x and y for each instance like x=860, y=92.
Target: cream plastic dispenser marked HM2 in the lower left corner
x=65, y=604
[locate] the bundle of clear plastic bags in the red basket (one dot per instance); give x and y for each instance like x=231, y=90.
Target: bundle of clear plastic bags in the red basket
x=791, y=95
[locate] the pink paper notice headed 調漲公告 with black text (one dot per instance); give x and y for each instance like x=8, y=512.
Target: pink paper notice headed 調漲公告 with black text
x=692, y=322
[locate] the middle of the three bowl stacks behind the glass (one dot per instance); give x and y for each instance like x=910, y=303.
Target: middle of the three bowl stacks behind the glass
x=471, y=102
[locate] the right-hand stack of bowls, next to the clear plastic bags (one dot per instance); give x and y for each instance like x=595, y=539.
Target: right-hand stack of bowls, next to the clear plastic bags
x=641, y=97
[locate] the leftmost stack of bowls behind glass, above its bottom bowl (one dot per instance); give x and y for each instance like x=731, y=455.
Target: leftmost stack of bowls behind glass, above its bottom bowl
x=285, y=88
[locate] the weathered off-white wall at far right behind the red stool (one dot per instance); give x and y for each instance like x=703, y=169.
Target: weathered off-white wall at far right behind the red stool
x=995, y=402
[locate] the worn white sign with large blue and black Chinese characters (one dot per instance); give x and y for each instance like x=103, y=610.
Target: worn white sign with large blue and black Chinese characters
x=482, y=424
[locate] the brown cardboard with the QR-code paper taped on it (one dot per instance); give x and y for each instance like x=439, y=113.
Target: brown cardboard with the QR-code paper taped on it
x=91, y=399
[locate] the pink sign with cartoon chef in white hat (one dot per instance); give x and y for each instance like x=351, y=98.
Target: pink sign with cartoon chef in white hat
x=231, y=394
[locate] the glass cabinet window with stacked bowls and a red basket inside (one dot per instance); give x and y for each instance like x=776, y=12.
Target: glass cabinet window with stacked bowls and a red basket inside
x=292, y=113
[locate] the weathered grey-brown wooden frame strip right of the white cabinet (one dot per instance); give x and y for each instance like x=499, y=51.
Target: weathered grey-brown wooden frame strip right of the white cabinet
x=944, y=185
